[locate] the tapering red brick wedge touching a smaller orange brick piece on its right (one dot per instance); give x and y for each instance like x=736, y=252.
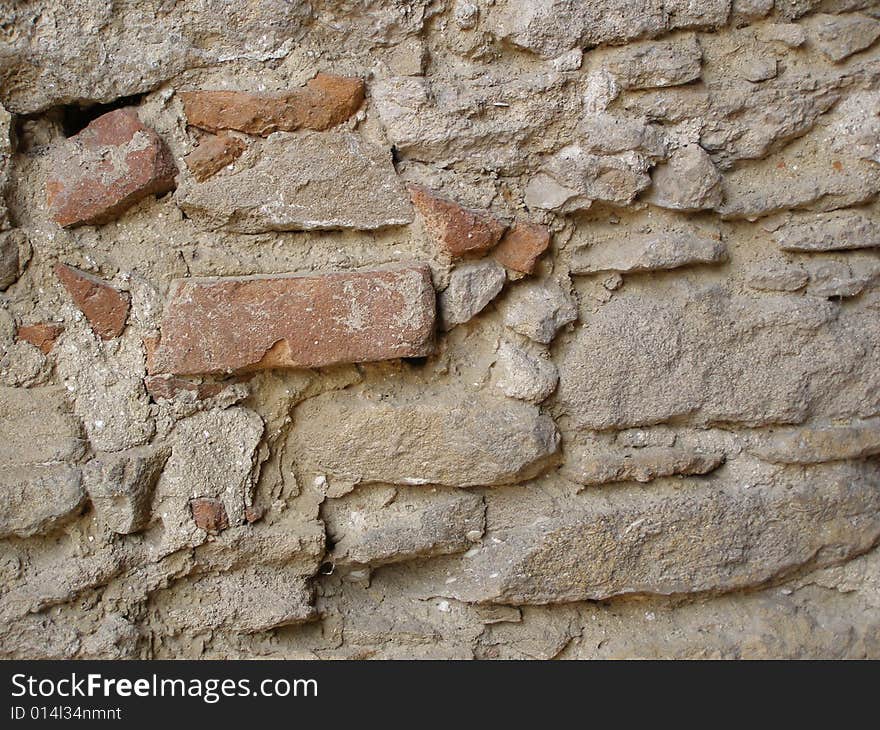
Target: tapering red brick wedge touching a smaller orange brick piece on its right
x=459, y=231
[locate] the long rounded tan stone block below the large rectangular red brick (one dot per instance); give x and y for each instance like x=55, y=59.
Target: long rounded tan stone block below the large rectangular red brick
x=429, y=438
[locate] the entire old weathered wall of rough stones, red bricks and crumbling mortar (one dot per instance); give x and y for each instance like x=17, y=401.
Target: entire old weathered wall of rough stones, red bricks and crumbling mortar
x=512, y=329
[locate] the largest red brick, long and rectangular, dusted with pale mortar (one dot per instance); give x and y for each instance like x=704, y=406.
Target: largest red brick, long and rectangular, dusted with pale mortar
x=260, y=322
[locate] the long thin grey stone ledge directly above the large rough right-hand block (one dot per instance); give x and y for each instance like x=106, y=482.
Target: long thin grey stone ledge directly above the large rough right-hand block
x=649, y=252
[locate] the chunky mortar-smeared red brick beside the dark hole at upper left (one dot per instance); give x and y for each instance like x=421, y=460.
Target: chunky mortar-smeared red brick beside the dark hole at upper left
x=105, y=169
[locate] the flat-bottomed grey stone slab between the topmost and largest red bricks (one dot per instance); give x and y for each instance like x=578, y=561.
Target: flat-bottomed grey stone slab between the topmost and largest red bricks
x=295, y=186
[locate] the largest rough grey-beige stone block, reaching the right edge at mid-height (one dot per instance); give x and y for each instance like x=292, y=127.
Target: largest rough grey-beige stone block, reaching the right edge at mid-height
x=709, y=357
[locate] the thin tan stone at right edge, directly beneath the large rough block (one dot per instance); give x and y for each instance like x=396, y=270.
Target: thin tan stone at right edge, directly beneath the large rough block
x=813, y=445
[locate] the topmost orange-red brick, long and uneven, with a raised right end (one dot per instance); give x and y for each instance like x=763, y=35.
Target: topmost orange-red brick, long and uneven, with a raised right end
x=324, y=102
